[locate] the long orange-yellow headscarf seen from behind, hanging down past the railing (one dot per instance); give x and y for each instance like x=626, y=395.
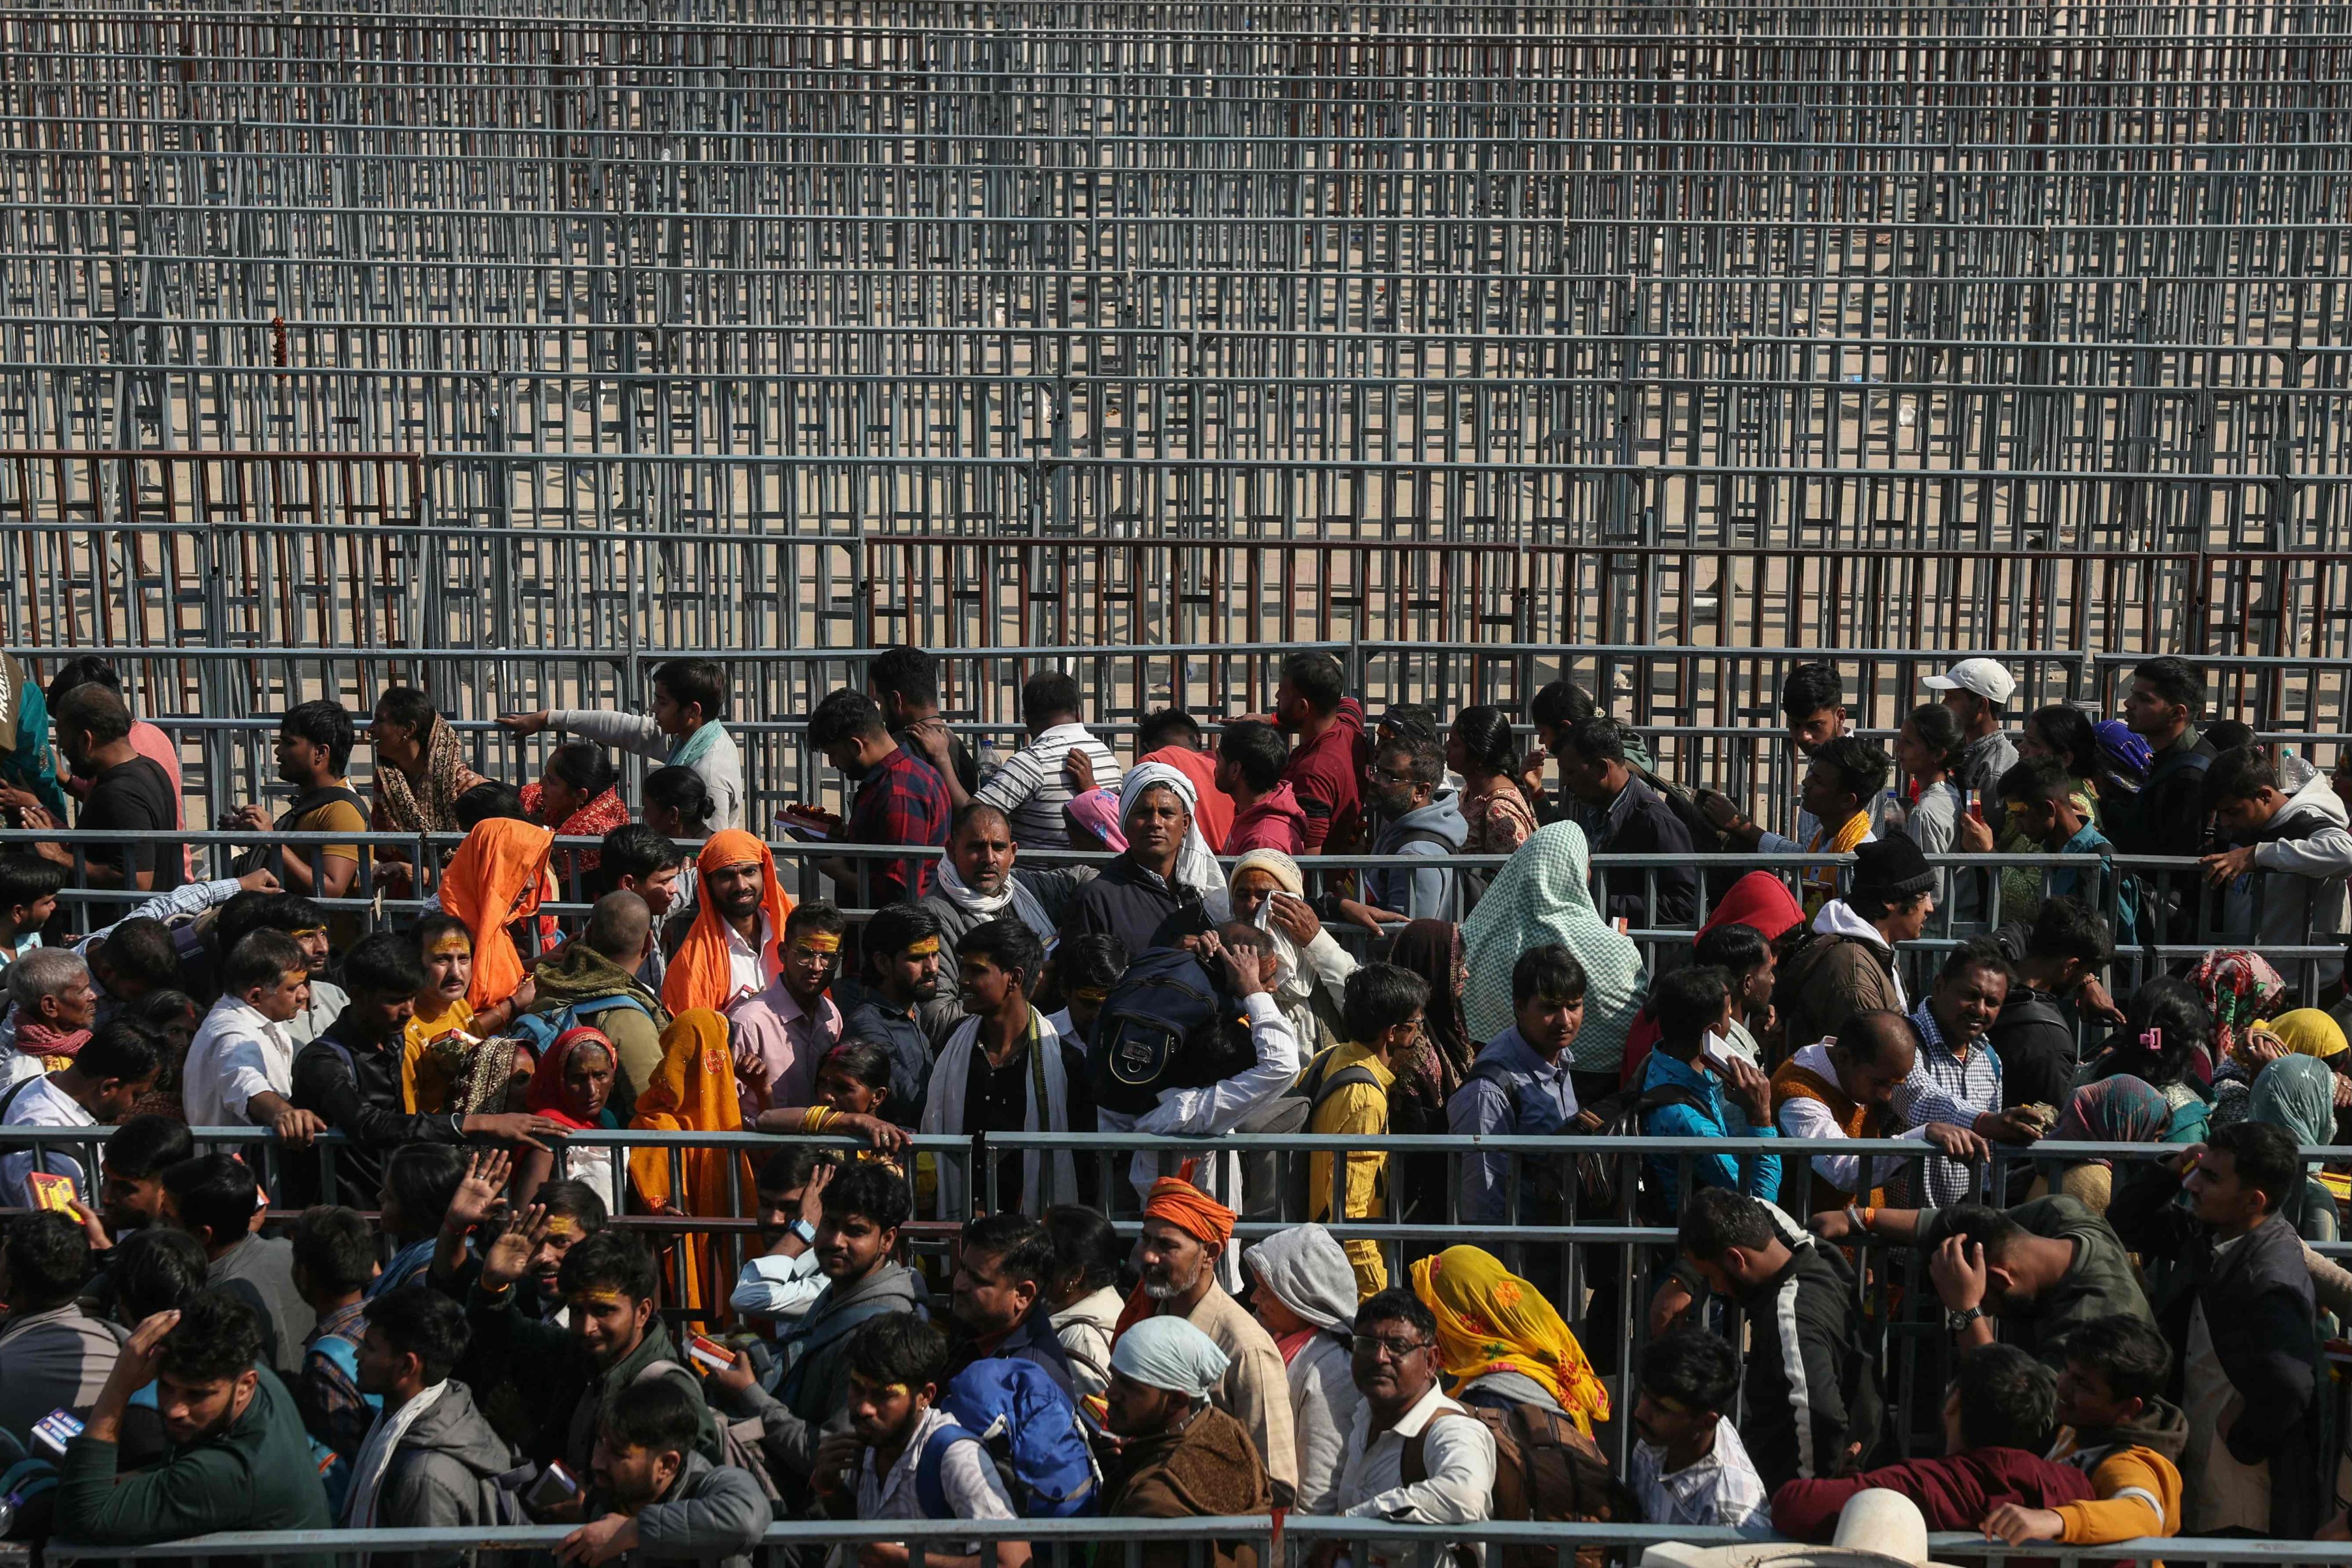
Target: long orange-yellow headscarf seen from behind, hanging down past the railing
x=693, y=1092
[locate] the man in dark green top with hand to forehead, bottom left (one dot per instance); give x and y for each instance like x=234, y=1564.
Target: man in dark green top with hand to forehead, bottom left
x=239, y=1456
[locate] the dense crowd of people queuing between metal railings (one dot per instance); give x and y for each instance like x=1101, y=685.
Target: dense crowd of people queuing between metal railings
x=413, y=1294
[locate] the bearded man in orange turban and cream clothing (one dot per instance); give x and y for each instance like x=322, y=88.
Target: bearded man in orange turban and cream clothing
x=1184, y=1235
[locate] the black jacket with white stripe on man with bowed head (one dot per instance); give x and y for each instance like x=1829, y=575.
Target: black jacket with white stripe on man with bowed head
x=1812, y=1386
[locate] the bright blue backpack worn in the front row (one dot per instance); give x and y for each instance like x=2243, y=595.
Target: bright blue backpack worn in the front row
x=1029, y=1428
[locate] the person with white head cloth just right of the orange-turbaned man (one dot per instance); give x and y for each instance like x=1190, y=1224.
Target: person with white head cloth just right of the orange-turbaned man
x=1307, y=1301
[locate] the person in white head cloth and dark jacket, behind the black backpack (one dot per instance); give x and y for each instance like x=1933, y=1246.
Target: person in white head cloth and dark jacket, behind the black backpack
x=1165, y=885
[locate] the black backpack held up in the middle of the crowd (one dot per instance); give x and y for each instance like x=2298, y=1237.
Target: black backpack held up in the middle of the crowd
x=1168, y=1024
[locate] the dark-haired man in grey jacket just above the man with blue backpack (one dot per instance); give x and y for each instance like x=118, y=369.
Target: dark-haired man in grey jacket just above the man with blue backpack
x=855, y=1242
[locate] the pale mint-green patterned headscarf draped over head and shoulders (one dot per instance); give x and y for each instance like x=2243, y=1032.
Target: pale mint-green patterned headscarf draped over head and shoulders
x=1544, y=897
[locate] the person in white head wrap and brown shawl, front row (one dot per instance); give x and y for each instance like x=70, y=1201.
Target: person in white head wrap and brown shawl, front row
x=1180, y=1456
